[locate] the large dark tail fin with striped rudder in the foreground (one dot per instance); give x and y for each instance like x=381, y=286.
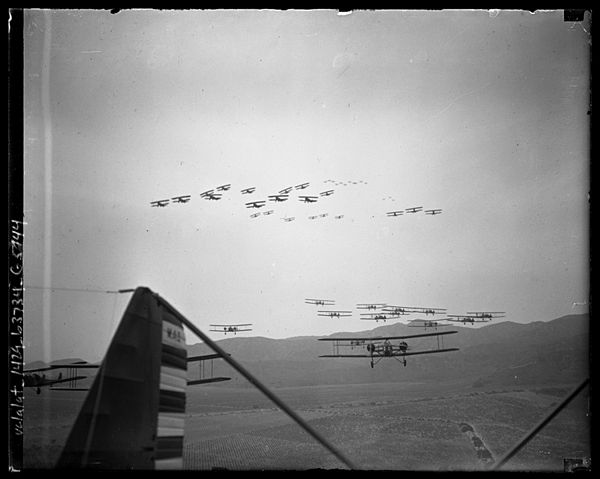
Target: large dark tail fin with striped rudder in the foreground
x=133, y=415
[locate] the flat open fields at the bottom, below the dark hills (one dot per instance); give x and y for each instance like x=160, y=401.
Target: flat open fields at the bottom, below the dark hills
x=401, y=426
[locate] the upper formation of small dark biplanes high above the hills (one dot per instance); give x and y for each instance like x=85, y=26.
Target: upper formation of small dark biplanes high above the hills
x=283, y=195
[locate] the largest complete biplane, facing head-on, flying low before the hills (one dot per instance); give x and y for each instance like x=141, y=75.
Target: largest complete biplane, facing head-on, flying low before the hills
x=380, y=347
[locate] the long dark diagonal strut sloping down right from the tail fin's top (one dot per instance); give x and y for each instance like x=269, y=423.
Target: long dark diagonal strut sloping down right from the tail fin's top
x=255, y=382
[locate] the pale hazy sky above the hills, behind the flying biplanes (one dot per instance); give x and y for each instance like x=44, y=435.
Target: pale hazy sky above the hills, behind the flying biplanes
x=483, y=115
